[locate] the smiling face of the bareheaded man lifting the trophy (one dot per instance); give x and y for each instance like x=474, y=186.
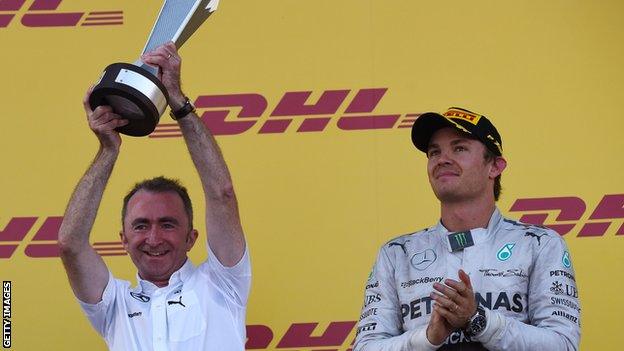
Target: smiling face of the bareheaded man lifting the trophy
x=157, y=234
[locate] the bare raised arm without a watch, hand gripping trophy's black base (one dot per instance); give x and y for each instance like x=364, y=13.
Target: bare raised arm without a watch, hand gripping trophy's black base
x=87, y=272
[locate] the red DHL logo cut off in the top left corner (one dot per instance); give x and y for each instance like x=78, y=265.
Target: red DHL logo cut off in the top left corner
x=43, y=13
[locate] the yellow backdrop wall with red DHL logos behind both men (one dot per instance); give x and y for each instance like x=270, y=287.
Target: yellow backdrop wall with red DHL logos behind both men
x=317, y=204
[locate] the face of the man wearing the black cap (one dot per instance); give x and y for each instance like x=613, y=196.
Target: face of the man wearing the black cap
x=457, y=168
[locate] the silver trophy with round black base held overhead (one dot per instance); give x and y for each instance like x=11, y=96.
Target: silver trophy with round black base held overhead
x=133, y=90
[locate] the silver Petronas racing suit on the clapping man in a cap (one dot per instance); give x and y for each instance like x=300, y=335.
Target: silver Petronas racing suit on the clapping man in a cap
x=522, y=275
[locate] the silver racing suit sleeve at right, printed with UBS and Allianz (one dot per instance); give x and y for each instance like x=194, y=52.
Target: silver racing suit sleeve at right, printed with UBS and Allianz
x=553, y=309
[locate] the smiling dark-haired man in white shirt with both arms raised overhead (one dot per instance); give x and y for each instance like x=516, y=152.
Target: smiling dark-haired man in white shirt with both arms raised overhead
x=175, y=306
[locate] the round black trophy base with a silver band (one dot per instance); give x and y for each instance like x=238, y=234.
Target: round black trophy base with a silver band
x=133, y=93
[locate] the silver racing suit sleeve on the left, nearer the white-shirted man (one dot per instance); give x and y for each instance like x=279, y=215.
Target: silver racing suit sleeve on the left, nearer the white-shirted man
x=380, y=327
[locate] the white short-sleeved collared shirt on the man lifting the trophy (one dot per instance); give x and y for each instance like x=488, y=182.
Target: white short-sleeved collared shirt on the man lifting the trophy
x=202, y=308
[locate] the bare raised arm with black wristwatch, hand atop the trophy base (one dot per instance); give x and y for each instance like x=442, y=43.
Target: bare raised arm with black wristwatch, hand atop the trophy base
x=224, y=230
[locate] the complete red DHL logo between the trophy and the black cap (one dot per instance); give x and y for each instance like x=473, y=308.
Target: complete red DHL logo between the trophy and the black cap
x=348, y=110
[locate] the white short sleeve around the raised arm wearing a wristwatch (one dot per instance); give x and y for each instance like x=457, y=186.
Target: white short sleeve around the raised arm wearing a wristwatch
x=233, y=281
